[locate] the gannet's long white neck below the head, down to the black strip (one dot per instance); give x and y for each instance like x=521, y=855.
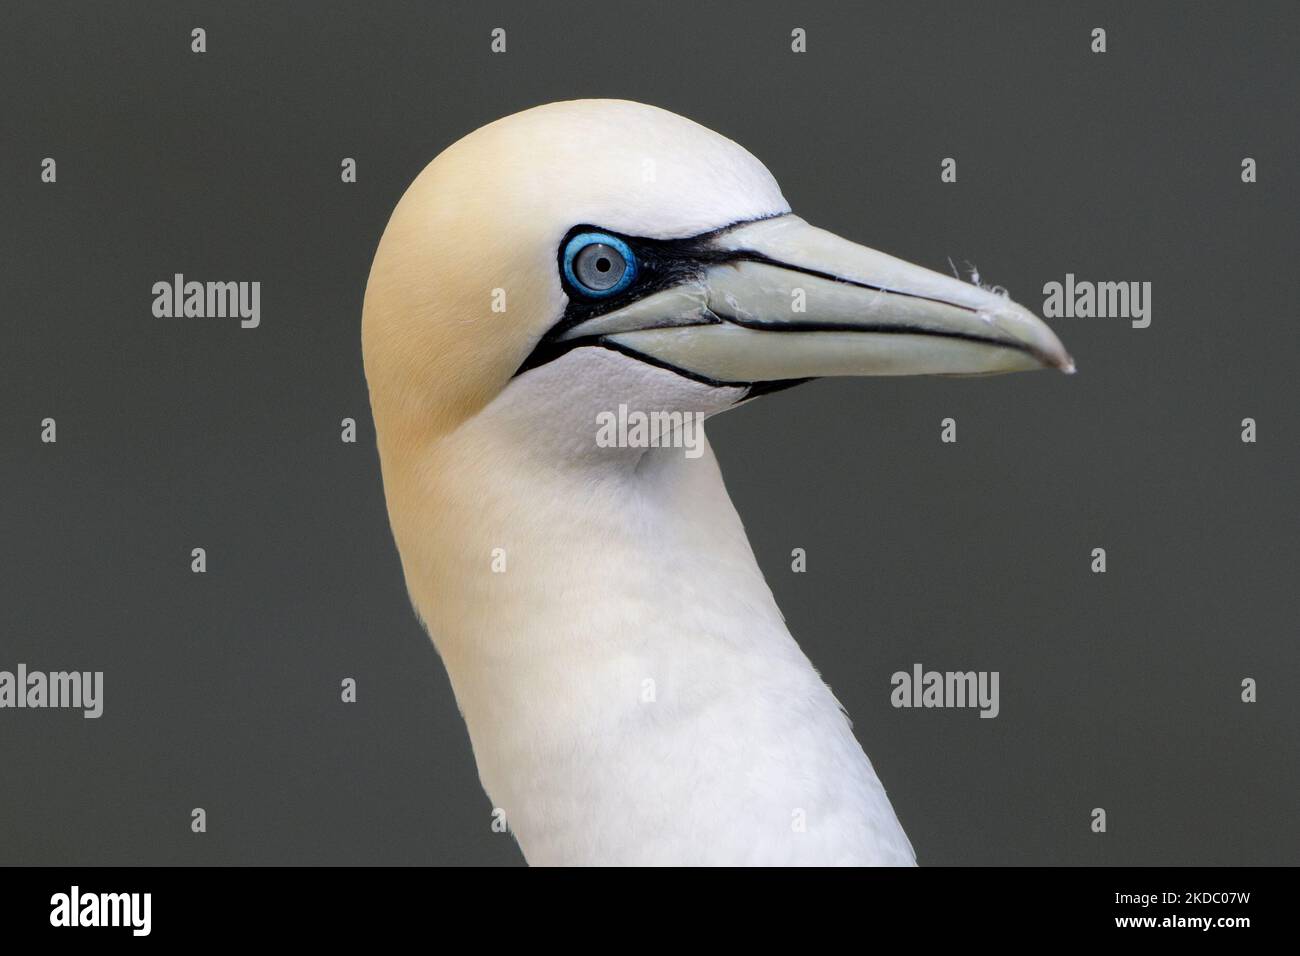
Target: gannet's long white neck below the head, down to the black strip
x=616, y=652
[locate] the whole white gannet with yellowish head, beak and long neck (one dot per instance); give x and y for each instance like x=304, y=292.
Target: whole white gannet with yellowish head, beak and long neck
x=630, y=686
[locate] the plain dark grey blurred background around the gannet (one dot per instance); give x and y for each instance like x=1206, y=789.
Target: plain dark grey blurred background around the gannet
x=1119, y=690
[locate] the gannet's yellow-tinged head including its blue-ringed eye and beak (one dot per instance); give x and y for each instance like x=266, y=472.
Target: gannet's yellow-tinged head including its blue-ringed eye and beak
x=625, y=254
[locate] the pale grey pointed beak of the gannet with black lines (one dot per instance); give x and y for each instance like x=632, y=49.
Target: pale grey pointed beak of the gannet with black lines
x=781, y=300
